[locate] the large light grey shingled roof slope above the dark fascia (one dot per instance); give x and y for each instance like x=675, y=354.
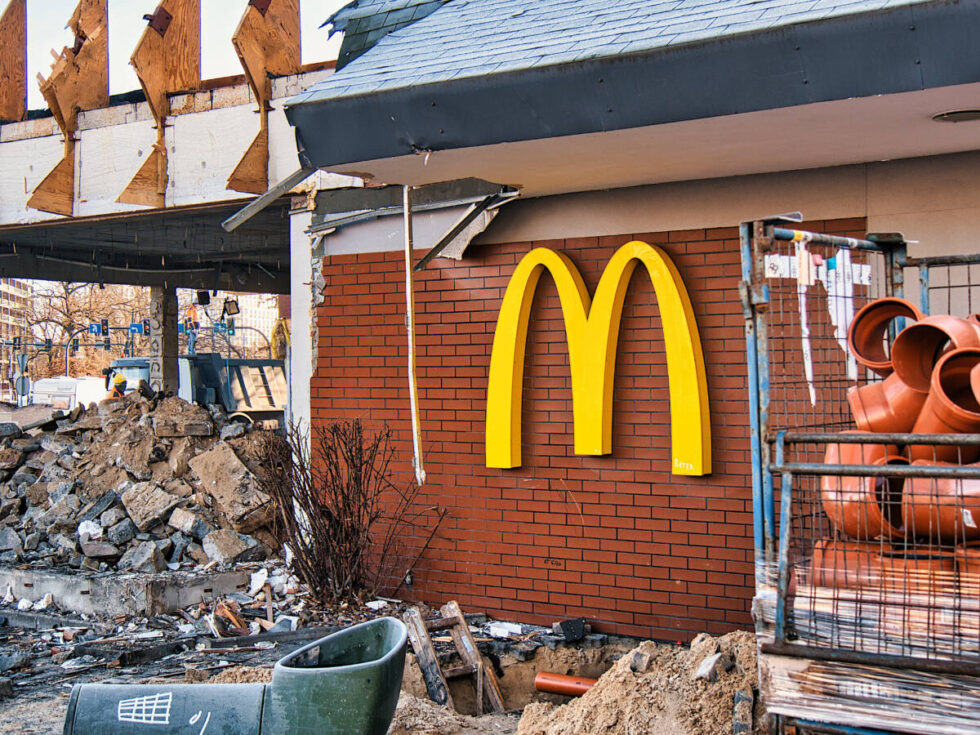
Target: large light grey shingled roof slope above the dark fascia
x=472, y=38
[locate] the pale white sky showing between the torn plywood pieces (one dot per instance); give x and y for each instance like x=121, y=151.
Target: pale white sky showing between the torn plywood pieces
x=46, y=30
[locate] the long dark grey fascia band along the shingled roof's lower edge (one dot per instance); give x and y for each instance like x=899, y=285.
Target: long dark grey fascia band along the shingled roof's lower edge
x=907, y=48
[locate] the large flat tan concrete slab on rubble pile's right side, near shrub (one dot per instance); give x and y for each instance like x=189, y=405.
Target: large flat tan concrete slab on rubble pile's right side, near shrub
x=236, y=491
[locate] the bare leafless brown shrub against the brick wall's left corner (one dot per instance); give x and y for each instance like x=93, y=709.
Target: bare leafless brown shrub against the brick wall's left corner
x=337, y=508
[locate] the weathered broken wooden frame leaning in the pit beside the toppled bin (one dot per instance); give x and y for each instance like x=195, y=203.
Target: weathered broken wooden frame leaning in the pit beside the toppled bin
x=435, y=678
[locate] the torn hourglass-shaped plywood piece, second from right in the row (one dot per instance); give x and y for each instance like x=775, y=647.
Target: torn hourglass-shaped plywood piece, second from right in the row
x=167, y=59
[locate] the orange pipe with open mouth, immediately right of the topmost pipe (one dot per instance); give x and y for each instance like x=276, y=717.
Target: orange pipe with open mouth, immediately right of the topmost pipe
x=918, y=347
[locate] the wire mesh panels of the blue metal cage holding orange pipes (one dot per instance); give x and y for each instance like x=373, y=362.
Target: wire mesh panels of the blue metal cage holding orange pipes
x=883, y=565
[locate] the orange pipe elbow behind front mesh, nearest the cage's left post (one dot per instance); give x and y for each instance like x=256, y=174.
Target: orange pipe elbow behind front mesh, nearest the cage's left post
x=863, y=507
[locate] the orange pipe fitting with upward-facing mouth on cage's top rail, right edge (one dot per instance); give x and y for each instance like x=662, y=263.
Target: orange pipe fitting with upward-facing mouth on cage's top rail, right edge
x=950, y=408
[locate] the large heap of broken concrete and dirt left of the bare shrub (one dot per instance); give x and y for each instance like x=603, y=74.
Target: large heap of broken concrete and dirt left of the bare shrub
x=134, y=484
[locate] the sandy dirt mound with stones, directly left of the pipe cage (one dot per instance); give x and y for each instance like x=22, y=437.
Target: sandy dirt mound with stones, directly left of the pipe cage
x=661, y=695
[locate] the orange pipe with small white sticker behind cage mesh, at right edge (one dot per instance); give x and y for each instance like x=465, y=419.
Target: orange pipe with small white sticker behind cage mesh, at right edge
x=945, y=509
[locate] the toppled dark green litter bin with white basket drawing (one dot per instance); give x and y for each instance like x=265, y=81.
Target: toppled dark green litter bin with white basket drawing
x=345, y=684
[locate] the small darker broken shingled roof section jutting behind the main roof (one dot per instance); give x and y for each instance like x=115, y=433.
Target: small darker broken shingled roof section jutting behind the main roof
x=365, y=22
